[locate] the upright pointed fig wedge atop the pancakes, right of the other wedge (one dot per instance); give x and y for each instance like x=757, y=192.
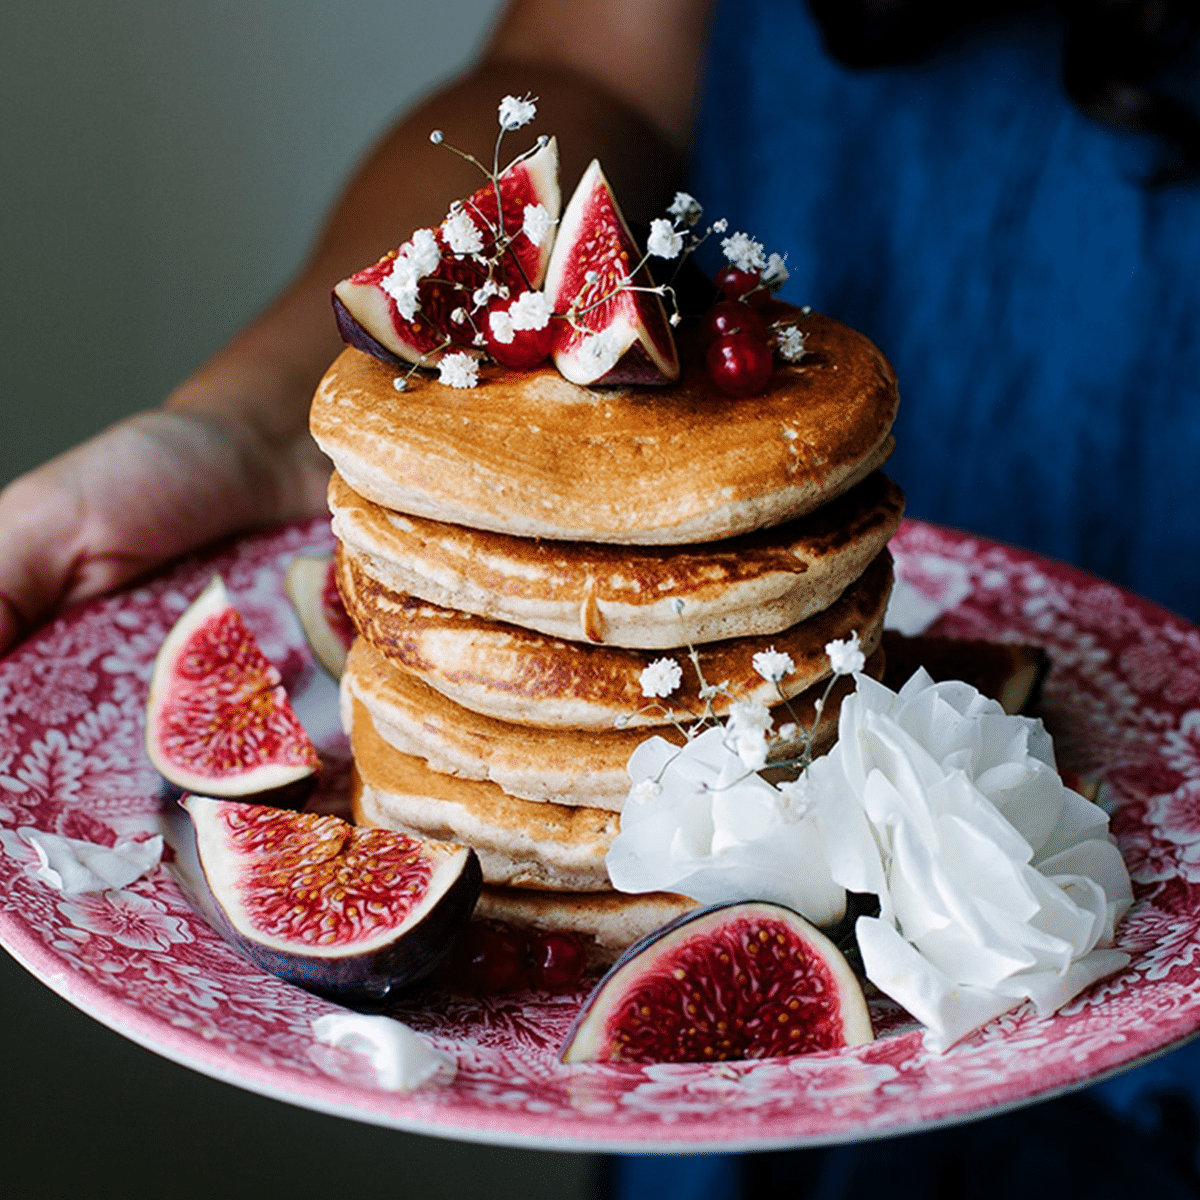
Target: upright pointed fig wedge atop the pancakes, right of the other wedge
x=616, y=335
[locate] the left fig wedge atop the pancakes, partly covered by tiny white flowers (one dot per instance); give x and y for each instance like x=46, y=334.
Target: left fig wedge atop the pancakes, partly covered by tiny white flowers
x=371, y=321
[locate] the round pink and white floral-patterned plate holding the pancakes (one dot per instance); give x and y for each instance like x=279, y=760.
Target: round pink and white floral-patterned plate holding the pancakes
x=1124, y=701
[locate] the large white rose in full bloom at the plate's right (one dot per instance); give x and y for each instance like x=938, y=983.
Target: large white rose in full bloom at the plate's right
x=997, y=883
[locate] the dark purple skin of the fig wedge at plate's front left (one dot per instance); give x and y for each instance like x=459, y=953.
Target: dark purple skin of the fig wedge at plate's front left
x=362, y=979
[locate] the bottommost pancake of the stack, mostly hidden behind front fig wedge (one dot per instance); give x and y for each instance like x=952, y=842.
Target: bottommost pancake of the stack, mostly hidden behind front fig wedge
x=609, y=922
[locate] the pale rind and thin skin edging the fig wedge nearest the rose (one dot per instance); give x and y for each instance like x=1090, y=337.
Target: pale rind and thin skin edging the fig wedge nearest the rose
x=587, y=1033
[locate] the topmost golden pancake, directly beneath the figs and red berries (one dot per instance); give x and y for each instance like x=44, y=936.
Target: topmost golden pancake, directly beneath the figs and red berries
x=527, y=453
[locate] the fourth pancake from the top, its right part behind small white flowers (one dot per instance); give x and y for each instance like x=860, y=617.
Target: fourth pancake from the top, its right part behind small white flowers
x=566, y=767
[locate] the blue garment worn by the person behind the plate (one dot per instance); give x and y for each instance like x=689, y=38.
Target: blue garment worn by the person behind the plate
x=1042, y=309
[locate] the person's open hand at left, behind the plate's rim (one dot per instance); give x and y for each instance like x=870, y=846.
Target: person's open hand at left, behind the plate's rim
x=134, y=497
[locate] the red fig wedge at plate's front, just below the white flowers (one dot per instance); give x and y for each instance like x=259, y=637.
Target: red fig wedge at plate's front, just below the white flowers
x=740, y=981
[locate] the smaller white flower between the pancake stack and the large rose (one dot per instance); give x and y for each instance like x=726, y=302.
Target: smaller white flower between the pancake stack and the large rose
x=699, y=823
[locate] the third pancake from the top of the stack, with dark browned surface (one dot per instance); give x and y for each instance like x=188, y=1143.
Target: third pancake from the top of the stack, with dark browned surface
x=518, y=676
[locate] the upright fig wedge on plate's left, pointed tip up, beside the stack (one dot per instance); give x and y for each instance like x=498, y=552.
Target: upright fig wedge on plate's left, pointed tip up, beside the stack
x=219, y=721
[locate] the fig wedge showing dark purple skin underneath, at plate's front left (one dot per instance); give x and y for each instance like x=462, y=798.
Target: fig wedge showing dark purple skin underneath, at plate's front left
x=345, y=913
